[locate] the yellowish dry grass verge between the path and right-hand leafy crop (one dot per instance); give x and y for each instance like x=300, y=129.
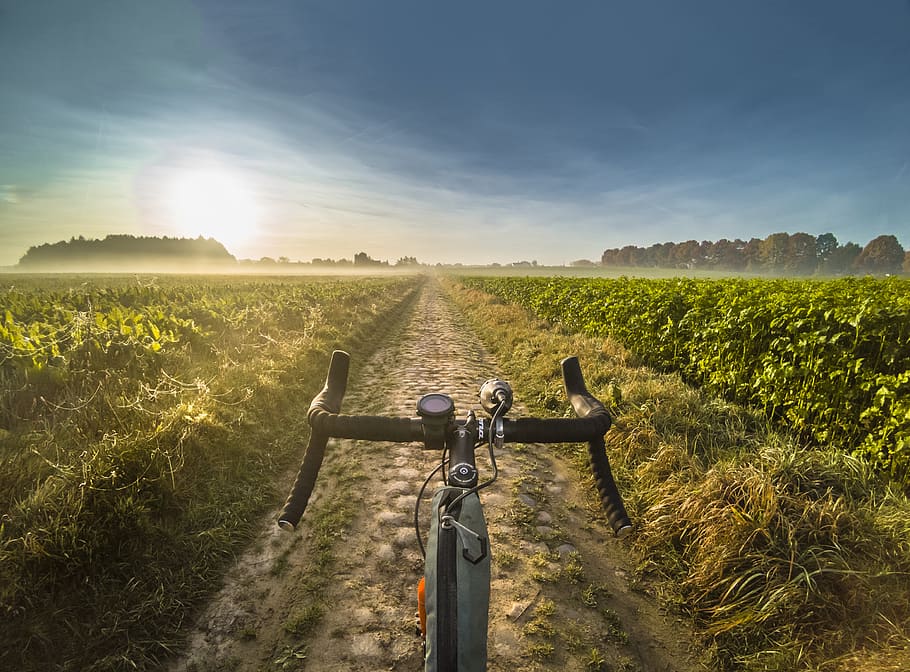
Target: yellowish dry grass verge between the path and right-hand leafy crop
x=783, y=557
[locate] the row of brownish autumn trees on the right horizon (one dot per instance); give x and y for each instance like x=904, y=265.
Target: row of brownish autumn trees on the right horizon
x=792, y=254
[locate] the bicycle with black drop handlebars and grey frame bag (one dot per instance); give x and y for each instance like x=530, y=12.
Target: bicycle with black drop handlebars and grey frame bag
x=454, y=594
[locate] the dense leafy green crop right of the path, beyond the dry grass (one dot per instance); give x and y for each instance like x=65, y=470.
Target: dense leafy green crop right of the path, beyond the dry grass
x=830, y=360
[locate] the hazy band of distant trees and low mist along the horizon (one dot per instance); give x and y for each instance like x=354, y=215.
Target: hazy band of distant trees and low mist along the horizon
x=780, y=254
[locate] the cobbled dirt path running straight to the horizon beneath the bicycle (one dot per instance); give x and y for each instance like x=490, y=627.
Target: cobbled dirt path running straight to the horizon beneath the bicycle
x=563, y=595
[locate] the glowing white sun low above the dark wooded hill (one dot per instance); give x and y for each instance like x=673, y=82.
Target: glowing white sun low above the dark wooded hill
x=213, y=203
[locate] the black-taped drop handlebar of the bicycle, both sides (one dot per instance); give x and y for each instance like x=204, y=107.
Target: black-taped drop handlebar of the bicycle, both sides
x=325, y=421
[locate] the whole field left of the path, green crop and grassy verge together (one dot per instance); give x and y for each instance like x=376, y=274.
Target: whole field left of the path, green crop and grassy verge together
x=143, y=425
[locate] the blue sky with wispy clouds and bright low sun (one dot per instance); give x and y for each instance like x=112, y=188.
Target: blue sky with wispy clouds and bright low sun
x=468, y=131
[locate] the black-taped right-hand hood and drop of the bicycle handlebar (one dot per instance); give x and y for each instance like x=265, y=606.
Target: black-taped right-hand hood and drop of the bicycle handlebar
x=586, y=406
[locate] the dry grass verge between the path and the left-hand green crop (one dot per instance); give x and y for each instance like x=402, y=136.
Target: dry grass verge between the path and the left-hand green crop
x=121, y=510
